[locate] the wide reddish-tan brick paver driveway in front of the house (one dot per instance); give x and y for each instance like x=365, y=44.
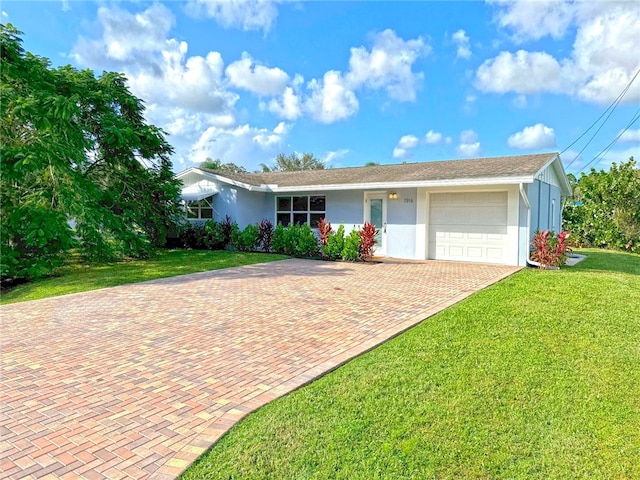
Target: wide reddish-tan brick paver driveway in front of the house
x=137, y=381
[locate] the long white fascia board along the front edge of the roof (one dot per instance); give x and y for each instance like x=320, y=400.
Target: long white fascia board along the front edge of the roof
x=398, y=185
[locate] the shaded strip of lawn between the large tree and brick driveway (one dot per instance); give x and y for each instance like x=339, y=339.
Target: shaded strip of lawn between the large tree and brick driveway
x=80, y=277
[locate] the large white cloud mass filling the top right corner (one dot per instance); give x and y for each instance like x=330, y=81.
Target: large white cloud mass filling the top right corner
x=602, y=62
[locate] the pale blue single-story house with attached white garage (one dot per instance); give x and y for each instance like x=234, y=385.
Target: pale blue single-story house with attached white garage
x=478, y=210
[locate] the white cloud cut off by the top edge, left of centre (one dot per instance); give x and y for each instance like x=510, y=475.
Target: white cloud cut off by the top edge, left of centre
x=244, y=14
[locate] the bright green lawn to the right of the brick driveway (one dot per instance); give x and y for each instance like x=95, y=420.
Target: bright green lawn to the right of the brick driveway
x=536, y=377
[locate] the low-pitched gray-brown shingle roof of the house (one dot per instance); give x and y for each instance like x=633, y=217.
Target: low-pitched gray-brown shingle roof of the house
x=512, y=166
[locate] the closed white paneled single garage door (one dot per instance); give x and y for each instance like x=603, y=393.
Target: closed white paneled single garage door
x=468, y=226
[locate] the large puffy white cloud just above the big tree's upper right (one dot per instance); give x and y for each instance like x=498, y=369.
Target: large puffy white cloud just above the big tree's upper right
x=158, y=69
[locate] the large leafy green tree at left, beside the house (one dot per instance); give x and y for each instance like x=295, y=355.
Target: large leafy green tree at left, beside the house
x=80, y=166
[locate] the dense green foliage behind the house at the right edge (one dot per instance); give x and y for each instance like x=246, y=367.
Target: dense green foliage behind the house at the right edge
x=605, y=209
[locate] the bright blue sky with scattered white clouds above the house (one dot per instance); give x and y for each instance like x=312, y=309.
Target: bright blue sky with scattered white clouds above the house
x=353, y=82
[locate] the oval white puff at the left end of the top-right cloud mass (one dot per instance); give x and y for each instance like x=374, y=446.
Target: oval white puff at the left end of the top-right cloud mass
x=524, y=73
